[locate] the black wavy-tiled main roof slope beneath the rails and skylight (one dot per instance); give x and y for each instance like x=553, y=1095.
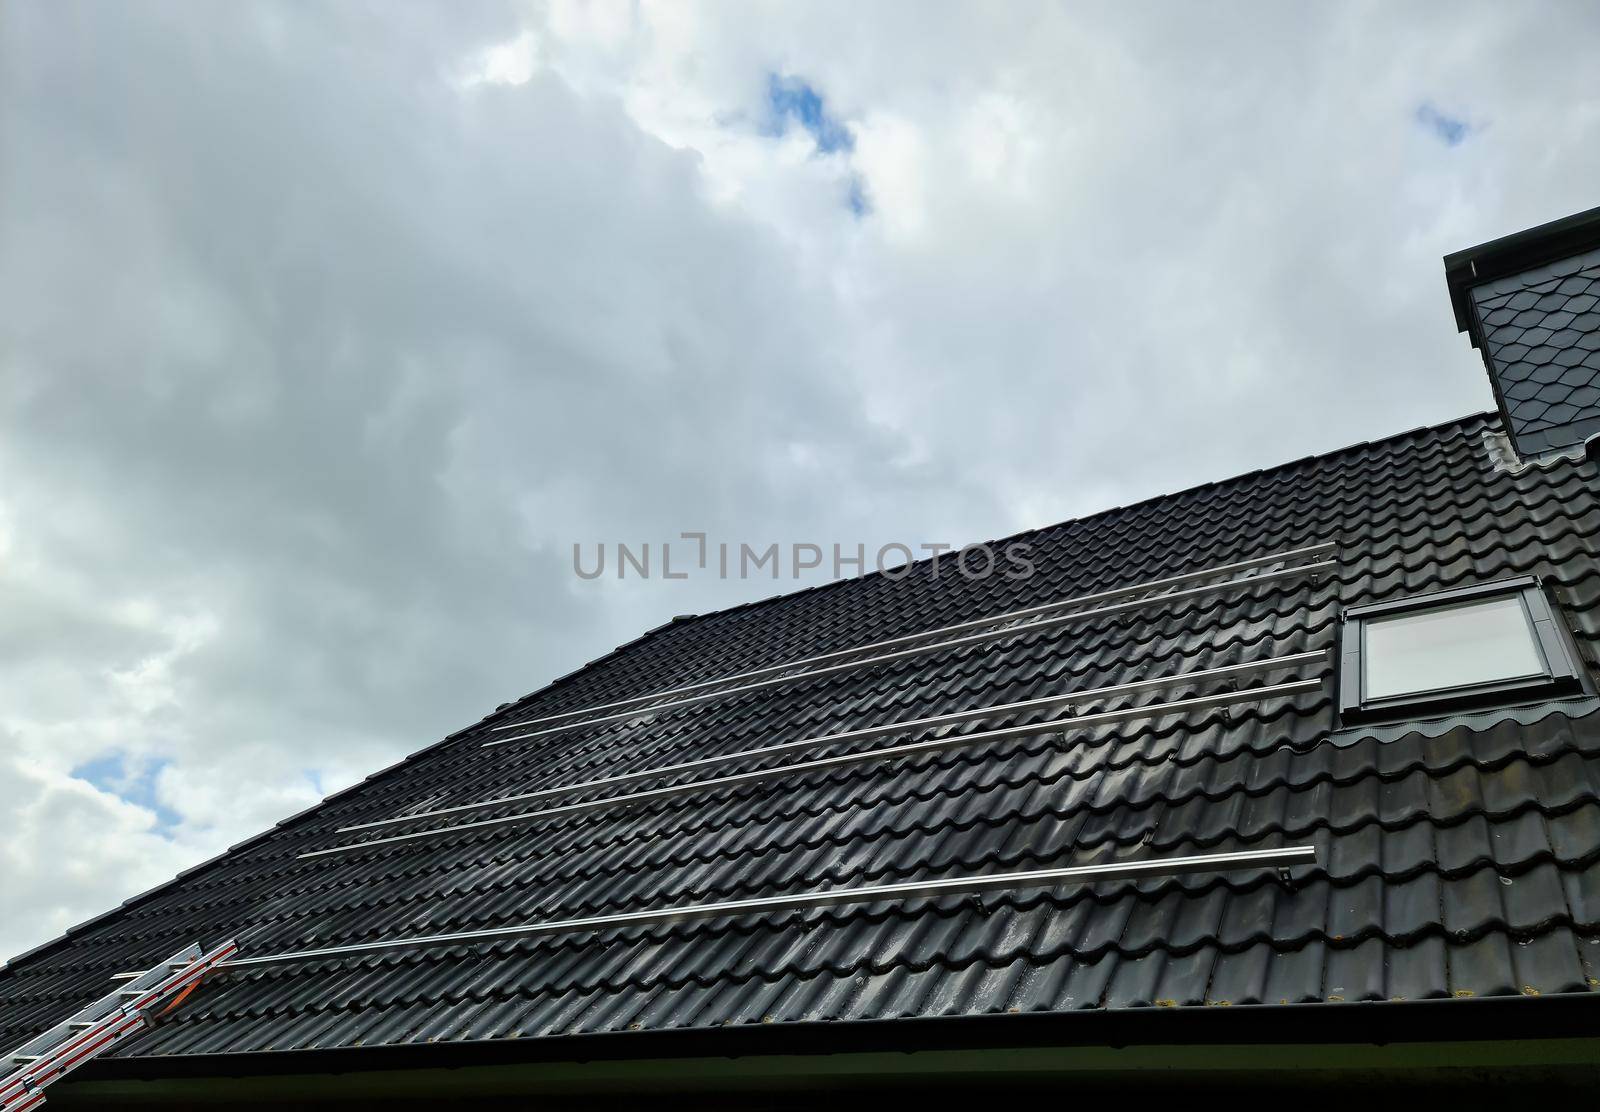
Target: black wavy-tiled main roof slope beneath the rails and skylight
x=1460, y=858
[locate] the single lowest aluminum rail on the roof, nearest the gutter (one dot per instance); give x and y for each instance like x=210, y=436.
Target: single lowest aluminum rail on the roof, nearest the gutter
x=826, y=898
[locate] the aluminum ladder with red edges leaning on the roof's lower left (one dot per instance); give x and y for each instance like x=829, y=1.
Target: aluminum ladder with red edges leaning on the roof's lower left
x=105, y=1023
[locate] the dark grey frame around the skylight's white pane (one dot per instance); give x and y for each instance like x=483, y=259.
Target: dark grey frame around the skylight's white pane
x=1550, y=639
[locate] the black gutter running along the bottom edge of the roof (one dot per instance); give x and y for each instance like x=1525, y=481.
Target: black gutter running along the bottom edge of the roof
x=1370, y=1023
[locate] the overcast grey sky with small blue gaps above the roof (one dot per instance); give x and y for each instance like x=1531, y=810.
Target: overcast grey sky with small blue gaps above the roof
x=327, y=330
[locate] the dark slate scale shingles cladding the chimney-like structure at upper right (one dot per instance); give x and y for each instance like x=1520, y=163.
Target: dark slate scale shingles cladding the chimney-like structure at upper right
x=1542, y=332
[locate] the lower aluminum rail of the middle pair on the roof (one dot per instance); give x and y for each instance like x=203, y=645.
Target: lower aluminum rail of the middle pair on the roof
x=1074, y=722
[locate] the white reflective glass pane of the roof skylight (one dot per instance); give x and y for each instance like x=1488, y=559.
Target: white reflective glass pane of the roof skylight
x=1450, y=647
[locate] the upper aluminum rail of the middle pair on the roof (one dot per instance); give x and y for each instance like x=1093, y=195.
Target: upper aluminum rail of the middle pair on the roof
x=1066, y=698
